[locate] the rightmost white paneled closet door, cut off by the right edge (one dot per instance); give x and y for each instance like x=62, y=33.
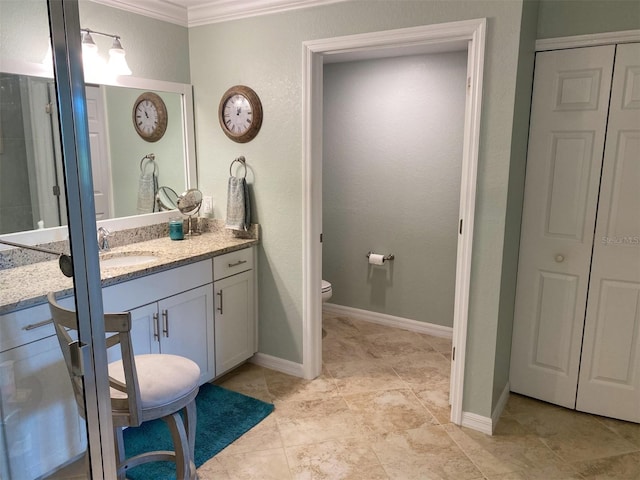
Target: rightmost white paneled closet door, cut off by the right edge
x=609, y=381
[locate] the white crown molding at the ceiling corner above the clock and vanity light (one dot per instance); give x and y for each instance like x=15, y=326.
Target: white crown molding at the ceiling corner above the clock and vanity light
x=191, y=13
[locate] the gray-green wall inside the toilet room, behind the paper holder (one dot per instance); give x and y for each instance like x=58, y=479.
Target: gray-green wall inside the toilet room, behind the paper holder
x=392, y=154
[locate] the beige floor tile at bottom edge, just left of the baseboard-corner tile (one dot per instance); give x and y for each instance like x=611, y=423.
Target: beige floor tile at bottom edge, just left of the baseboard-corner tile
x=424, y=453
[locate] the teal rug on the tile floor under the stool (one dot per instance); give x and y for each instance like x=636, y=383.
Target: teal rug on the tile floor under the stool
x=223, y=416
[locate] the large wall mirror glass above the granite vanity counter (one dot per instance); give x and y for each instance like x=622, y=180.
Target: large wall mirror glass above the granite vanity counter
x=30, y=160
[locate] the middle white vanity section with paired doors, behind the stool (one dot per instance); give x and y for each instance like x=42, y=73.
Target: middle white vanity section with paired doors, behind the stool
x=176, y=321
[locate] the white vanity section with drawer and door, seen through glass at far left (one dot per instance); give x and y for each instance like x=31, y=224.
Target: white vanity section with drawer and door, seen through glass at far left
x=40, y=428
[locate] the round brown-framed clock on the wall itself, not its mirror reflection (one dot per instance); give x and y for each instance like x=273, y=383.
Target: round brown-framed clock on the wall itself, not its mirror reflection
x=240, y=113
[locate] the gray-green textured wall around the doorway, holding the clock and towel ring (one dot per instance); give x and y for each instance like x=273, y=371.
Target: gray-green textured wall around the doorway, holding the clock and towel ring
x=266, y=53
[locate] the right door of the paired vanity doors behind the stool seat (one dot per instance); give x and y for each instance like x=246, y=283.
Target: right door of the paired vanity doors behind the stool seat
x=186, y=328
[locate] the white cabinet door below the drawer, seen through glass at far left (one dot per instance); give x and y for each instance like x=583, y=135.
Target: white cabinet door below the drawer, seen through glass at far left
x=39, y=417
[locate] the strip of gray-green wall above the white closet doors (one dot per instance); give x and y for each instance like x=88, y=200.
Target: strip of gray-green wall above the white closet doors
x=563, y=18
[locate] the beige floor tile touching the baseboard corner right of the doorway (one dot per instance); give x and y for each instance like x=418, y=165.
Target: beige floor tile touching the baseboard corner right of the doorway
x=511, y=449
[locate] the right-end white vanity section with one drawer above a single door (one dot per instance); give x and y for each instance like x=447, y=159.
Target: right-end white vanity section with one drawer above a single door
x=235, y=312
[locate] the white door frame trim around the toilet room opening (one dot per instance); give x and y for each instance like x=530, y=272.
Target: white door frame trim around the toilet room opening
x=454, y=36
